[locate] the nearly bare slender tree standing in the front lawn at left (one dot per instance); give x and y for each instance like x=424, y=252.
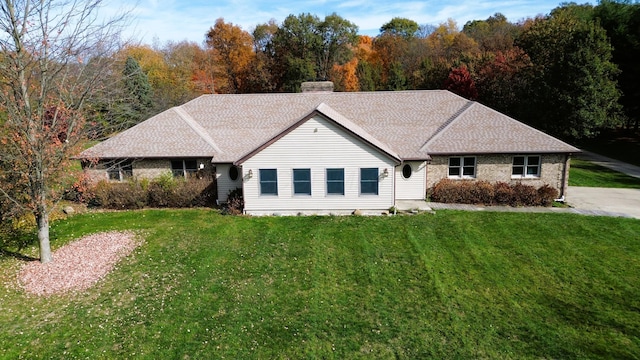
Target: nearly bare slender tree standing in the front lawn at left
x=55, y=56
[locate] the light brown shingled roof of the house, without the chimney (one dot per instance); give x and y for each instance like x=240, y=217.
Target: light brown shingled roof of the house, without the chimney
x=408, y=125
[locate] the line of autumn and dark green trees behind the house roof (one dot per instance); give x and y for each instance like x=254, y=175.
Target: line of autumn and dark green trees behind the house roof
x=571, y=73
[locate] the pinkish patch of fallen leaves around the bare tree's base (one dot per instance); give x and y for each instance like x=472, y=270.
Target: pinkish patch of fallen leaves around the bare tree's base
x=78, y=265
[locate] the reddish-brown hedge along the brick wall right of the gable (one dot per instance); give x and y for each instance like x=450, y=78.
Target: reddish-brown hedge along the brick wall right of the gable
x=484, y=192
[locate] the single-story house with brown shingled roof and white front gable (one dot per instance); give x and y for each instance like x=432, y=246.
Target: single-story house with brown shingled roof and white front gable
x=333, y=152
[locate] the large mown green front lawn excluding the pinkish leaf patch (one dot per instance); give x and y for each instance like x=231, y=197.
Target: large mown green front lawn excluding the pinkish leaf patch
x=449, y=285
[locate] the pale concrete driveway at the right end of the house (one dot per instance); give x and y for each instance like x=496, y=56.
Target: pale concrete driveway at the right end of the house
x=623, y=201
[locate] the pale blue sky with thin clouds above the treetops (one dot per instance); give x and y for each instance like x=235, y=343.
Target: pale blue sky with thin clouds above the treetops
x=159, y=21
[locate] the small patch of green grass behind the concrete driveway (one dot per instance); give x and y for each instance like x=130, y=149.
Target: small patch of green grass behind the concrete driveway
x=586, y=173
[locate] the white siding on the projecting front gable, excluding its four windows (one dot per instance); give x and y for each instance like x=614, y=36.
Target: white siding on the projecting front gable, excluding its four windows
x=318, y=144
